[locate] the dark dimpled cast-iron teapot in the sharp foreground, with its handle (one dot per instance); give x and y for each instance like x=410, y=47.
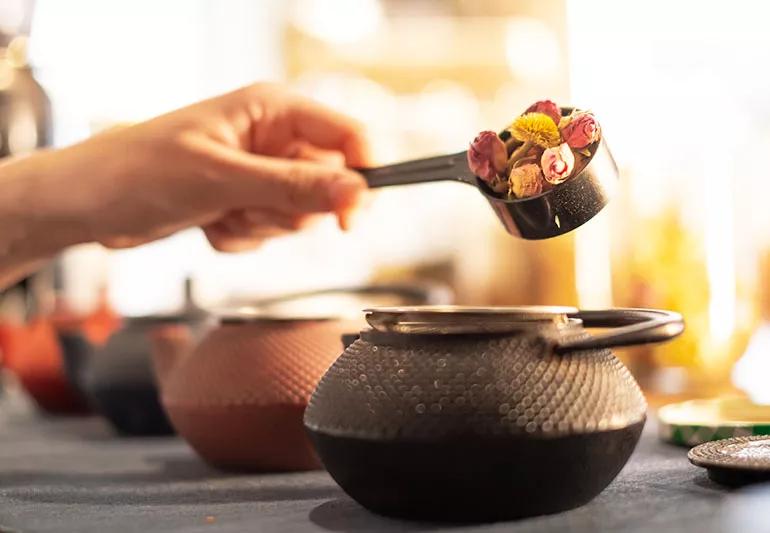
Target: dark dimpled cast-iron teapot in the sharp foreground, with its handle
x=478, y=414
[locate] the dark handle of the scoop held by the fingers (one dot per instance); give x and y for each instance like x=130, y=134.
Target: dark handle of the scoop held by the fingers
x=453, y=167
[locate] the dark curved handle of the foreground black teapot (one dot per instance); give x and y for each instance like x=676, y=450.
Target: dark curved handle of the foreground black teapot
x=630, y=327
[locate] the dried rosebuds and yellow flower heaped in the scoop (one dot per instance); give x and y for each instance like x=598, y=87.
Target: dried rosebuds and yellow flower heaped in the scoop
x=543, y=151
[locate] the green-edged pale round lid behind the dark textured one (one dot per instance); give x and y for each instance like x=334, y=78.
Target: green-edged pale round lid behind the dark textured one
x=697, y=421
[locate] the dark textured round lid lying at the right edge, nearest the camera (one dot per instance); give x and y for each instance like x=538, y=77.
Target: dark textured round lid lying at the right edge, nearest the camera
x=736, y=461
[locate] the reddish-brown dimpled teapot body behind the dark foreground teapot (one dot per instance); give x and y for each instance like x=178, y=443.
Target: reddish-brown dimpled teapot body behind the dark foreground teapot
x=239, y=397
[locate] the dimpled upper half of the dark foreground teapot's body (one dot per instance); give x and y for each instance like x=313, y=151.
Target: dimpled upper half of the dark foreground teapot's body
x=429, y=387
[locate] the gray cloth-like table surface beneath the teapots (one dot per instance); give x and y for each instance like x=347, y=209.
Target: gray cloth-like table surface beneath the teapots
x=75, y=475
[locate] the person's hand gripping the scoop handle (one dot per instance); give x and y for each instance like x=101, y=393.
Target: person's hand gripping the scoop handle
x=245, y=166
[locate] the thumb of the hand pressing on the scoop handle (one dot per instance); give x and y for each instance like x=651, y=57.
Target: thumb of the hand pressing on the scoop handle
x=290, y=186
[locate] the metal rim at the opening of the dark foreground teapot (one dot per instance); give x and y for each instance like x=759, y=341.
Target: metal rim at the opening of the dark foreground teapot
x=456, y=319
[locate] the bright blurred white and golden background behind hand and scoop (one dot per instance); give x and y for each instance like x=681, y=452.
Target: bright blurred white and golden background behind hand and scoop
x=680, y=89
